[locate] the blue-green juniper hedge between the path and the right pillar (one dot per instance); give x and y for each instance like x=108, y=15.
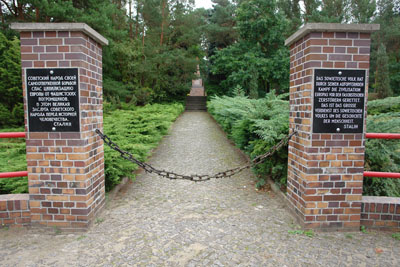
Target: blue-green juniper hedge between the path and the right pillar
x=255, y=125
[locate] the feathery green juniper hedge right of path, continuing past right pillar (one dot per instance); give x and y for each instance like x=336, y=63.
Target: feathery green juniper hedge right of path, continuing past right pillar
x=255, y=125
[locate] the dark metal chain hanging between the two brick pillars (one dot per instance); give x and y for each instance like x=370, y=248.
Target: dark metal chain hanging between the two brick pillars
x=194, y=177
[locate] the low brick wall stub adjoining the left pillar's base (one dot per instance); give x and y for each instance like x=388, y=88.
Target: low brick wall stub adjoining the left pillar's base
x=14, y=210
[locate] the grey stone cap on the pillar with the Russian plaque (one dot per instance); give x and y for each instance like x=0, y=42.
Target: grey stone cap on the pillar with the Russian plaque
x=82, y=27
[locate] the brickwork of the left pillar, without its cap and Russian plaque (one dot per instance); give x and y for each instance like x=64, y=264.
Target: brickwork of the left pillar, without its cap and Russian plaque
x=66, y=170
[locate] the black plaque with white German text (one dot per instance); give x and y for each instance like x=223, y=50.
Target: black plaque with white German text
x=338, y=101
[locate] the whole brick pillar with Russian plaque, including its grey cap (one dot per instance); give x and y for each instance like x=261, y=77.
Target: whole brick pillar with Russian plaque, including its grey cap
x=64, y=155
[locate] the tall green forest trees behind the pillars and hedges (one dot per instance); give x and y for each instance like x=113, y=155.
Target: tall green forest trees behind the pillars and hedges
x=155, y=44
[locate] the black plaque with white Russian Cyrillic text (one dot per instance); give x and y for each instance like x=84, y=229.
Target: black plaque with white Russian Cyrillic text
x=53, y=100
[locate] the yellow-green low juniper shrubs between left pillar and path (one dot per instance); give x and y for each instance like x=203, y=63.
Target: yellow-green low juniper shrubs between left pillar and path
x=138, y=131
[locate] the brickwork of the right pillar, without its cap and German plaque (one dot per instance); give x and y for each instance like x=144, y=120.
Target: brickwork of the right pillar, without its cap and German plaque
x=325, y=171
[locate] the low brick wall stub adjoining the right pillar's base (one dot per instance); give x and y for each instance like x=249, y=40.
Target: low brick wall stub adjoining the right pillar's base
x=380, y=213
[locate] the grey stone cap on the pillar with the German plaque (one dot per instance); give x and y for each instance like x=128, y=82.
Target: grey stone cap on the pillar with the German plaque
x=330, y=27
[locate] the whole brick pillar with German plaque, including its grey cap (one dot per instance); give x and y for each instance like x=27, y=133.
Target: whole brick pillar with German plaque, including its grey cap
x=326, y=158
